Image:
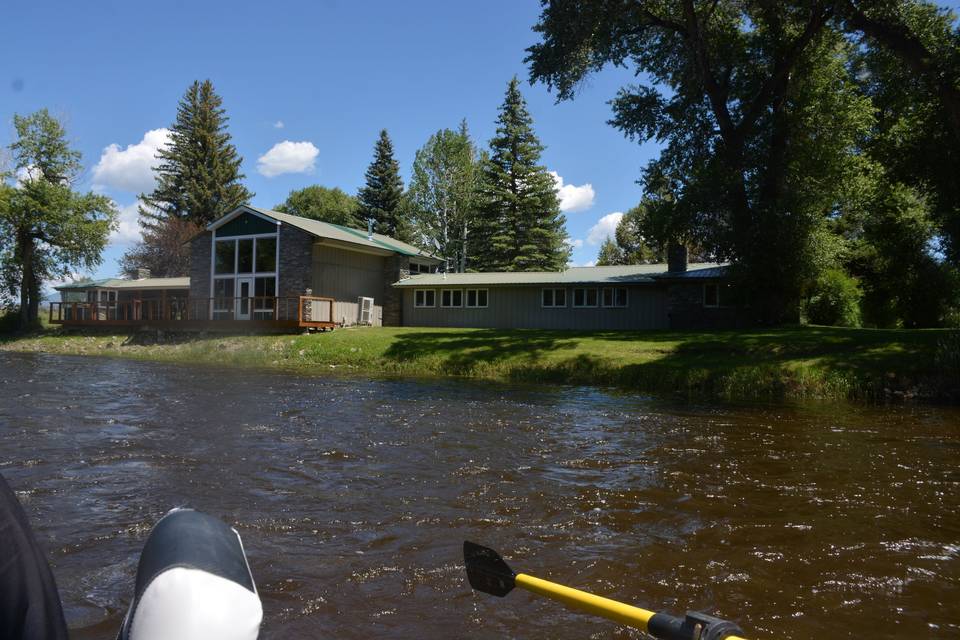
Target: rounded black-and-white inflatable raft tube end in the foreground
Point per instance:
(193, 583)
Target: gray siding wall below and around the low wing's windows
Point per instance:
(519, 308)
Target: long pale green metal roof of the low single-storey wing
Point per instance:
(621, 274)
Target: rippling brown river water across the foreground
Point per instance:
(353, 497)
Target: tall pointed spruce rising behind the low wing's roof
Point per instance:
(519, 226)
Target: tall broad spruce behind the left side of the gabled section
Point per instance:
(198, 178)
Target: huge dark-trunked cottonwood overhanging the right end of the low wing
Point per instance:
(755, 108)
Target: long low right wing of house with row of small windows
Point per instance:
(617, 298)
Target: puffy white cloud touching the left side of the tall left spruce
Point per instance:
(131, 169)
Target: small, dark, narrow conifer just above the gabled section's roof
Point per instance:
(381, 199)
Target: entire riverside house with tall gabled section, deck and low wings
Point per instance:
(261, 269)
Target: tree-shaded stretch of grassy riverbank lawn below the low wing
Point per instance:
(768, 364)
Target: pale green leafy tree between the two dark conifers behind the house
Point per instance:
(443, 195)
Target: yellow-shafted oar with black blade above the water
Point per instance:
(487, 572)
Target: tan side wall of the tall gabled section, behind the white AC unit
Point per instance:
(345, 276)
